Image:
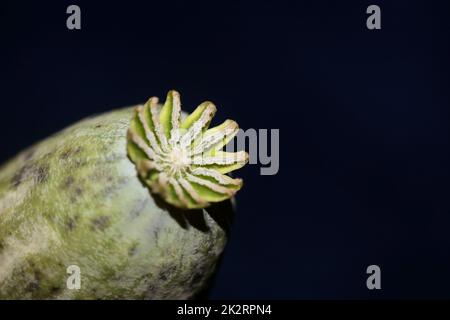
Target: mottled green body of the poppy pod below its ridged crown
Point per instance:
(76, 199)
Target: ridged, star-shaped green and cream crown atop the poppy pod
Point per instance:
(183, 161)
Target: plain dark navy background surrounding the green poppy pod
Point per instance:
(363, 118)
